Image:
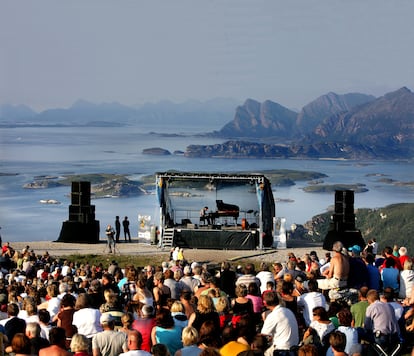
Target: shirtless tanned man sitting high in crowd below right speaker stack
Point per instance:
(337, 274)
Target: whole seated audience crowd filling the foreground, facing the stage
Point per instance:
(348, 302)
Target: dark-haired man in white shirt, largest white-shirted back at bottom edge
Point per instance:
(280, 325)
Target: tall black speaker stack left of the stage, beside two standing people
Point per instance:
(81, 226)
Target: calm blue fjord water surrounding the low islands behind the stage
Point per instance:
(31, 152)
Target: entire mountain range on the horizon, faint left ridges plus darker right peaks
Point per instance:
(352, 125)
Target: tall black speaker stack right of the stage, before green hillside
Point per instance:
(342, 227)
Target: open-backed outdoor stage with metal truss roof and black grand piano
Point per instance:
(240, 216)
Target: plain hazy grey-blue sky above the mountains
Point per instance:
(55, 52)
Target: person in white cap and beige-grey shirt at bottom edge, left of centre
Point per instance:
(108, 342)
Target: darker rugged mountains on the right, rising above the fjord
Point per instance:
(352, 126)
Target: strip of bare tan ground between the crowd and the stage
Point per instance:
(135, 248)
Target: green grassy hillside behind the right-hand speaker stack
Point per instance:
(390, 225)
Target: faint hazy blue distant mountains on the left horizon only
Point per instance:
(83, 113)
